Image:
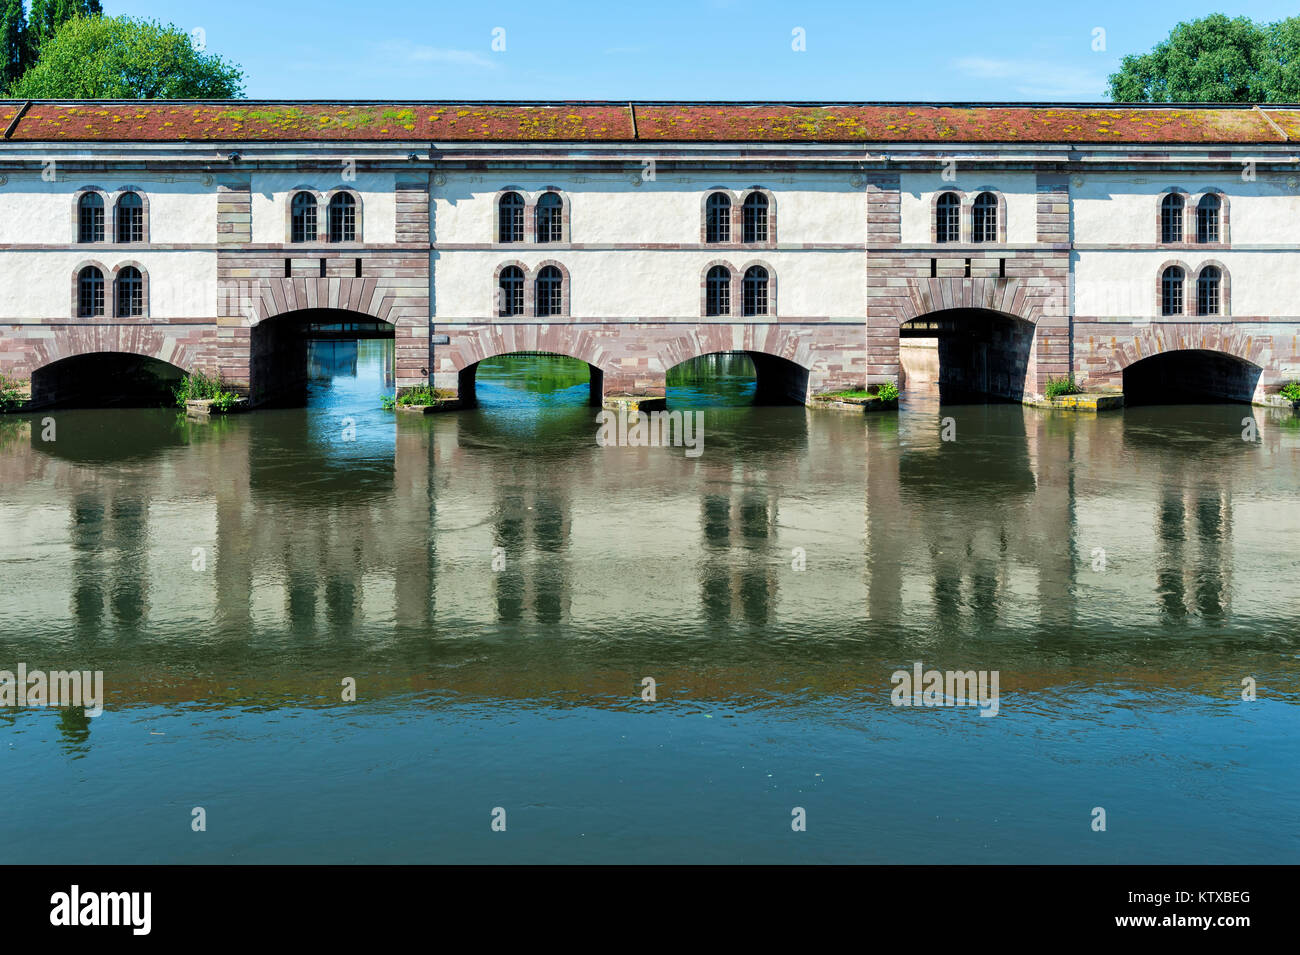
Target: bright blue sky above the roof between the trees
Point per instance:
(681, 50)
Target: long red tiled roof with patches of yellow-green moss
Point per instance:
(734, 123)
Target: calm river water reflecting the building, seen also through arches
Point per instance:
(500, 587)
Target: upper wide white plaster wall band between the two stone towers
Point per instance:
(606, 210)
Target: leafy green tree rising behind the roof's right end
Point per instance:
(1216, 60)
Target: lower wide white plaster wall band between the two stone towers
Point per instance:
(655, 285)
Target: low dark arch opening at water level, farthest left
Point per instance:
(106, 380)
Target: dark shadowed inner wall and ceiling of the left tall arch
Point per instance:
(279, 349)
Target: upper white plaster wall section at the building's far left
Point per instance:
(38, 212)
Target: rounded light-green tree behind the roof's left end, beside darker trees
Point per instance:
(120, 58)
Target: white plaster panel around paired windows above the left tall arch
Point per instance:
(272, 193)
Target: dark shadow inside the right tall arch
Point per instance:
(982, 353)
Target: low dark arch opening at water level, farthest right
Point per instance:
(1191, 376)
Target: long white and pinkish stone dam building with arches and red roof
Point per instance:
(1138, 249)
